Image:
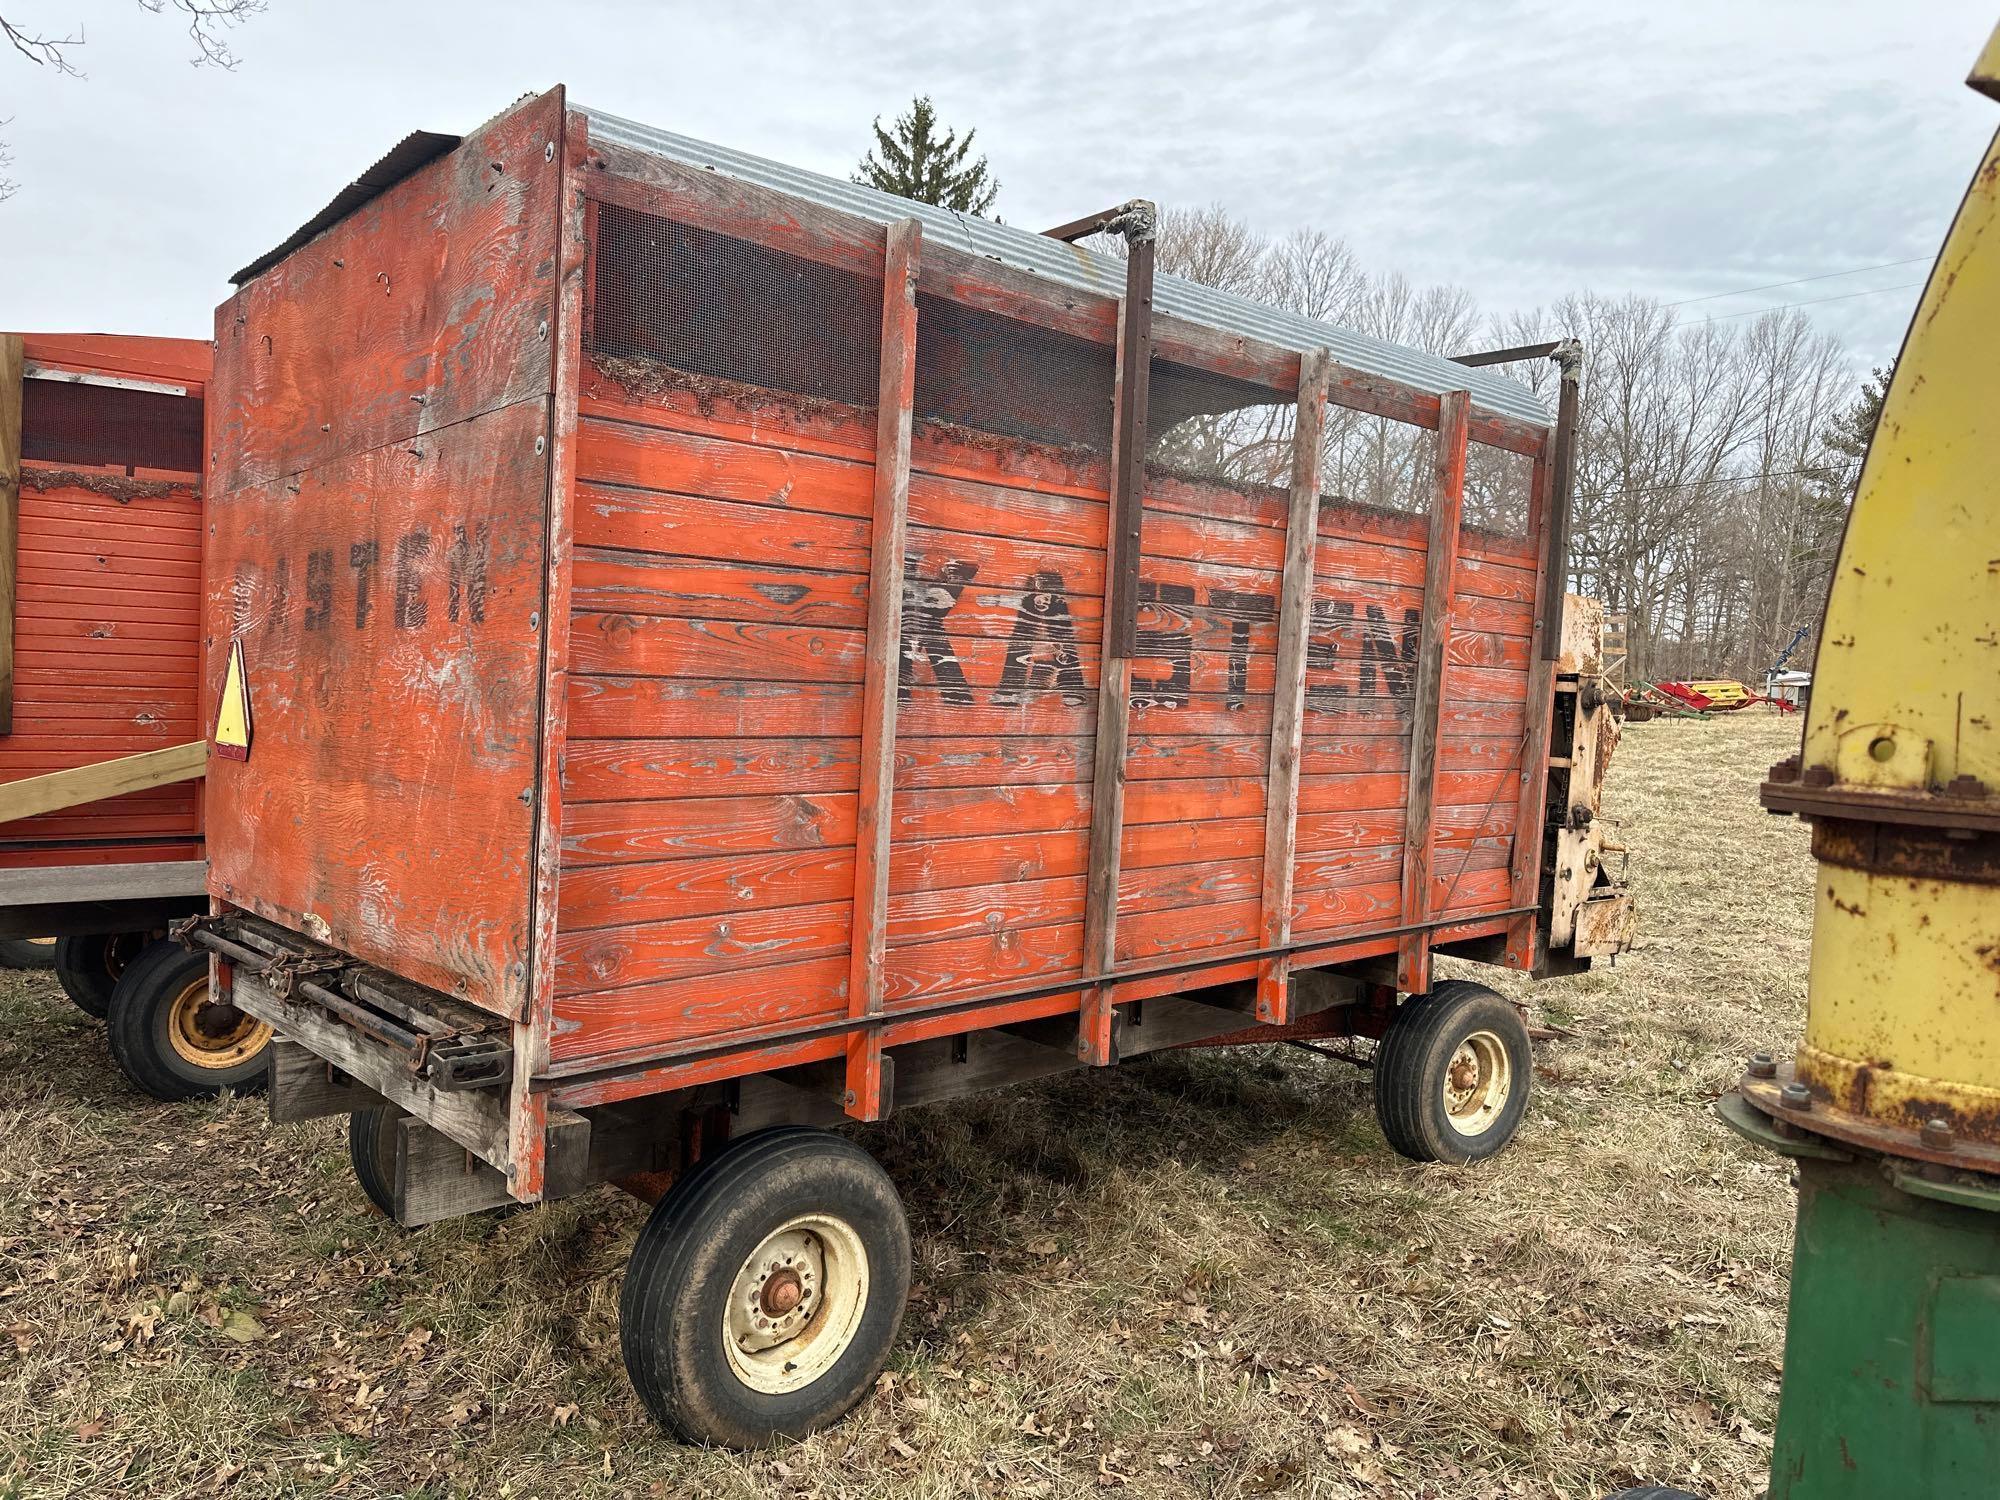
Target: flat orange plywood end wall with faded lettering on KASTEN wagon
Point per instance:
(381, 495)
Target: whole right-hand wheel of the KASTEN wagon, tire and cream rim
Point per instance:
(1453, 1075)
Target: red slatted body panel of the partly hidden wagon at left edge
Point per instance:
(105, 557)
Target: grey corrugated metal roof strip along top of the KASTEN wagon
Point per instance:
(1087, 269)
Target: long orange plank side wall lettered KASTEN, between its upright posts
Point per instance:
(719, 647)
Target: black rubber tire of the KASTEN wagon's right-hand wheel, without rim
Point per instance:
(1415, 1057)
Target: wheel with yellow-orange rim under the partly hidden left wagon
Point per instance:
(173, 1041)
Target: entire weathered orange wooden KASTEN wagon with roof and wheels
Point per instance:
(717, 651)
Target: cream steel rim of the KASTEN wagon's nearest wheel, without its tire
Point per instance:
(797, 1305)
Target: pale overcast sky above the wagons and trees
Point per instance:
(1523, 149)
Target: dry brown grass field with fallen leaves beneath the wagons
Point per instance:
(1205, 1277)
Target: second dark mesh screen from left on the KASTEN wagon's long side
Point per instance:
(1011, 379)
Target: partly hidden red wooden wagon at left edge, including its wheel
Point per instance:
(101, 735)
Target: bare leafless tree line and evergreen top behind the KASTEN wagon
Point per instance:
(1715, 459)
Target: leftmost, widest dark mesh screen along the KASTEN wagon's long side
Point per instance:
(733, 311)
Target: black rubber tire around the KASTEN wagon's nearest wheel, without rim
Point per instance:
(687, 1259)
